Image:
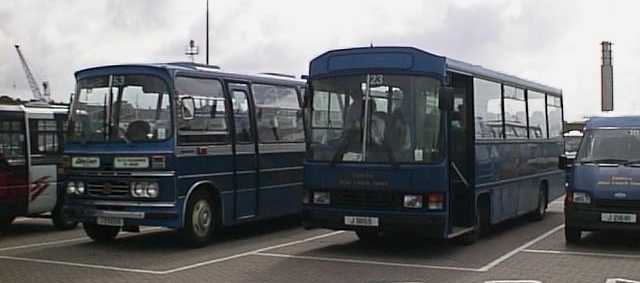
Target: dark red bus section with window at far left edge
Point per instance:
(14, 173)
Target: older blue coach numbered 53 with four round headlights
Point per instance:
(183, 146)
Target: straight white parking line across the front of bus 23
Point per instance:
(371, 262)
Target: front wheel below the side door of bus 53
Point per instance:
(200, 220)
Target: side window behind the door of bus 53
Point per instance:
(278, 114)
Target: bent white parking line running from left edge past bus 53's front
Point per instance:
(169, 271)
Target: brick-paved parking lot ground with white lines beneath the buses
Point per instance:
(281, 251)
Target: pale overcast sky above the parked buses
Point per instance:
(553, 42)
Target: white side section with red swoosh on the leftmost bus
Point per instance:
(44, 154)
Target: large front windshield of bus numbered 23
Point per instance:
(375, 118)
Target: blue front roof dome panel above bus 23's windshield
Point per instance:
(396, 59)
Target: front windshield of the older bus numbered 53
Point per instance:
(120, 108)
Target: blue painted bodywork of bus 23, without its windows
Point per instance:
(511, 172)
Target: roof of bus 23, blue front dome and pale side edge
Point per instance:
(409, 60)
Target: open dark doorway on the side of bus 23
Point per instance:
(461, 154)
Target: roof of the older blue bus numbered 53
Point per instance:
(191, 67)
